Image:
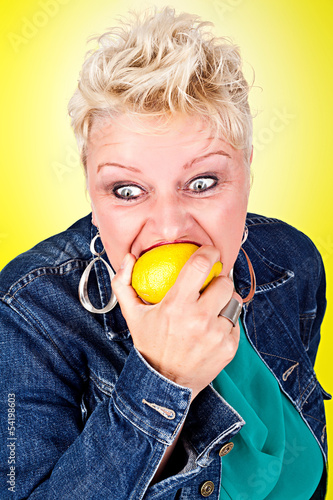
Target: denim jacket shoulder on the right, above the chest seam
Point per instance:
(284, 245)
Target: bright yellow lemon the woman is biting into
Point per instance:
(156, 271)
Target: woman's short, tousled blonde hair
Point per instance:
(159, 64)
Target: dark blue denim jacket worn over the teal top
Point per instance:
(88, 419)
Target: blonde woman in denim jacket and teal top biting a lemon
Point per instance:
(111, 397)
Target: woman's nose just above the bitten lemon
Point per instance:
(170, 220)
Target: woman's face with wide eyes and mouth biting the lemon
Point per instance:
(179, 185)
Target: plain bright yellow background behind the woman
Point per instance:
(289, 45)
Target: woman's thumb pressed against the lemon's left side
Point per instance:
(121, 285)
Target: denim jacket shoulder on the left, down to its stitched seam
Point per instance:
(56, 255)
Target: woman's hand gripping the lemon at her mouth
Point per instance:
(183, 337)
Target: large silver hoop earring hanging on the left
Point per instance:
(83, 285)
